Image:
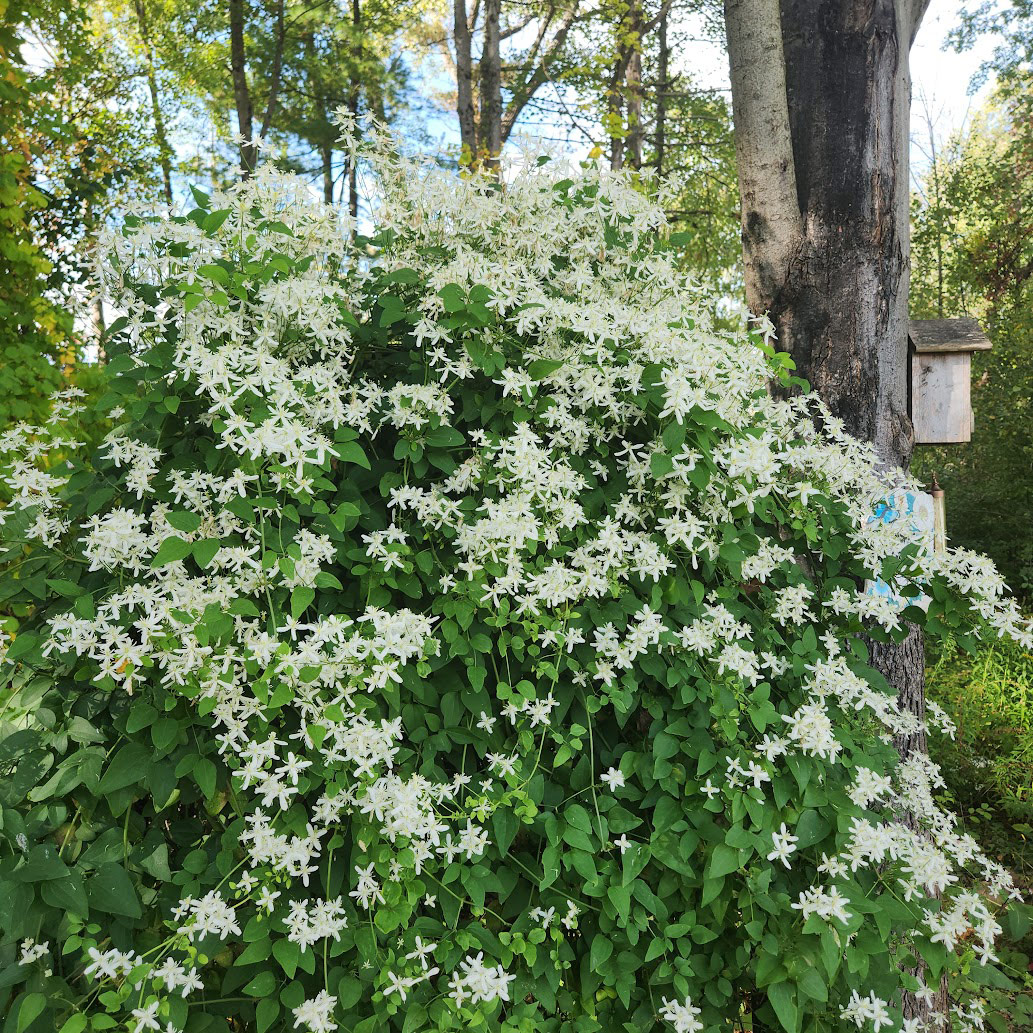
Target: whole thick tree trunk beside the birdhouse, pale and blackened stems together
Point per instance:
(822, 109)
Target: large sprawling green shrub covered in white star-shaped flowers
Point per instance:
(453, 634)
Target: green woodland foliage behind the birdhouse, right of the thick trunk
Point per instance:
(973, 255)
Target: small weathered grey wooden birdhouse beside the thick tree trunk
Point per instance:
(941, 387)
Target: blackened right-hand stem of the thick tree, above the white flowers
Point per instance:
(842, 310)
